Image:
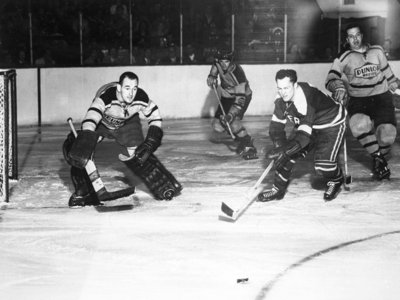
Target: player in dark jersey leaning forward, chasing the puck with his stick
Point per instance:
(319, 123)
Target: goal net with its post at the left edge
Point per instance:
(8, 131)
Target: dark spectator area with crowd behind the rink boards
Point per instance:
(140, 32)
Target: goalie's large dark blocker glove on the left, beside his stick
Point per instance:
(82, 149)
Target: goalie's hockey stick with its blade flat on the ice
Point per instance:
(97, 182)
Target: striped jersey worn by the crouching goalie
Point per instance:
(109, 109)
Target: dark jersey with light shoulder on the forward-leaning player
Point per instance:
(310, 109)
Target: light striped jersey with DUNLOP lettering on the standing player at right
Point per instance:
(368, 73)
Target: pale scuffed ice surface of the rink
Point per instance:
(298, 248)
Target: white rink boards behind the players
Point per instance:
(179, 91)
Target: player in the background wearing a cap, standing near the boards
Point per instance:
(235, 99)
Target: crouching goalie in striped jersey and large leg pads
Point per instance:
(114, 114)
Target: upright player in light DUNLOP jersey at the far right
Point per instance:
(362, 72)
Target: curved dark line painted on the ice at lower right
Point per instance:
(268, 287)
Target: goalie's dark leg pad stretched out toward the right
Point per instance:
(162, 184)
